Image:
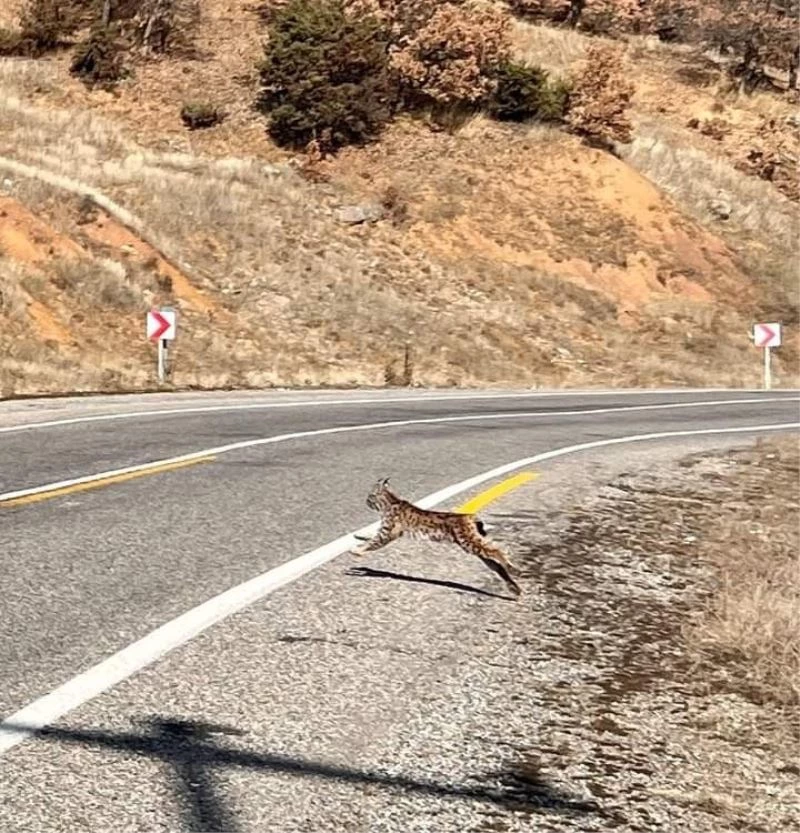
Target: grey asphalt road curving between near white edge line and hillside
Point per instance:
(87, 573)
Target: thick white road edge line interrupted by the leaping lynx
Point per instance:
(118, 667)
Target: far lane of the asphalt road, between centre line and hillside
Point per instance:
(40, 455)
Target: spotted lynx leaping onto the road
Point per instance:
(400, 517)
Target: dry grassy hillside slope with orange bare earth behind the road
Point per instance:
(502, 255)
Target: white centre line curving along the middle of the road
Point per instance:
(372, 426)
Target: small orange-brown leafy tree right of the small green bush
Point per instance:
(601, 96)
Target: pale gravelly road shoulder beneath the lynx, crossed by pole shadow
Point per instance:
(403, 693)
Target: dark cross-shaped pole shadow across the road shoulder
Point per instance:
(195, 754)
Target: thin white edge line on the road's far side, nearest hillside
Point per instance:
(375, 400)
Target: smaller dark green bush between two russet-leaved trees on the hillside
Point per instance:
(523, 92)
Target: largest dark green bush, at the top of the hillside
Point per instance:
(325, 76)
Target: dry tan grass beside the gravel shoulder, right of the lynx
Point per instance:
(752, 621)
